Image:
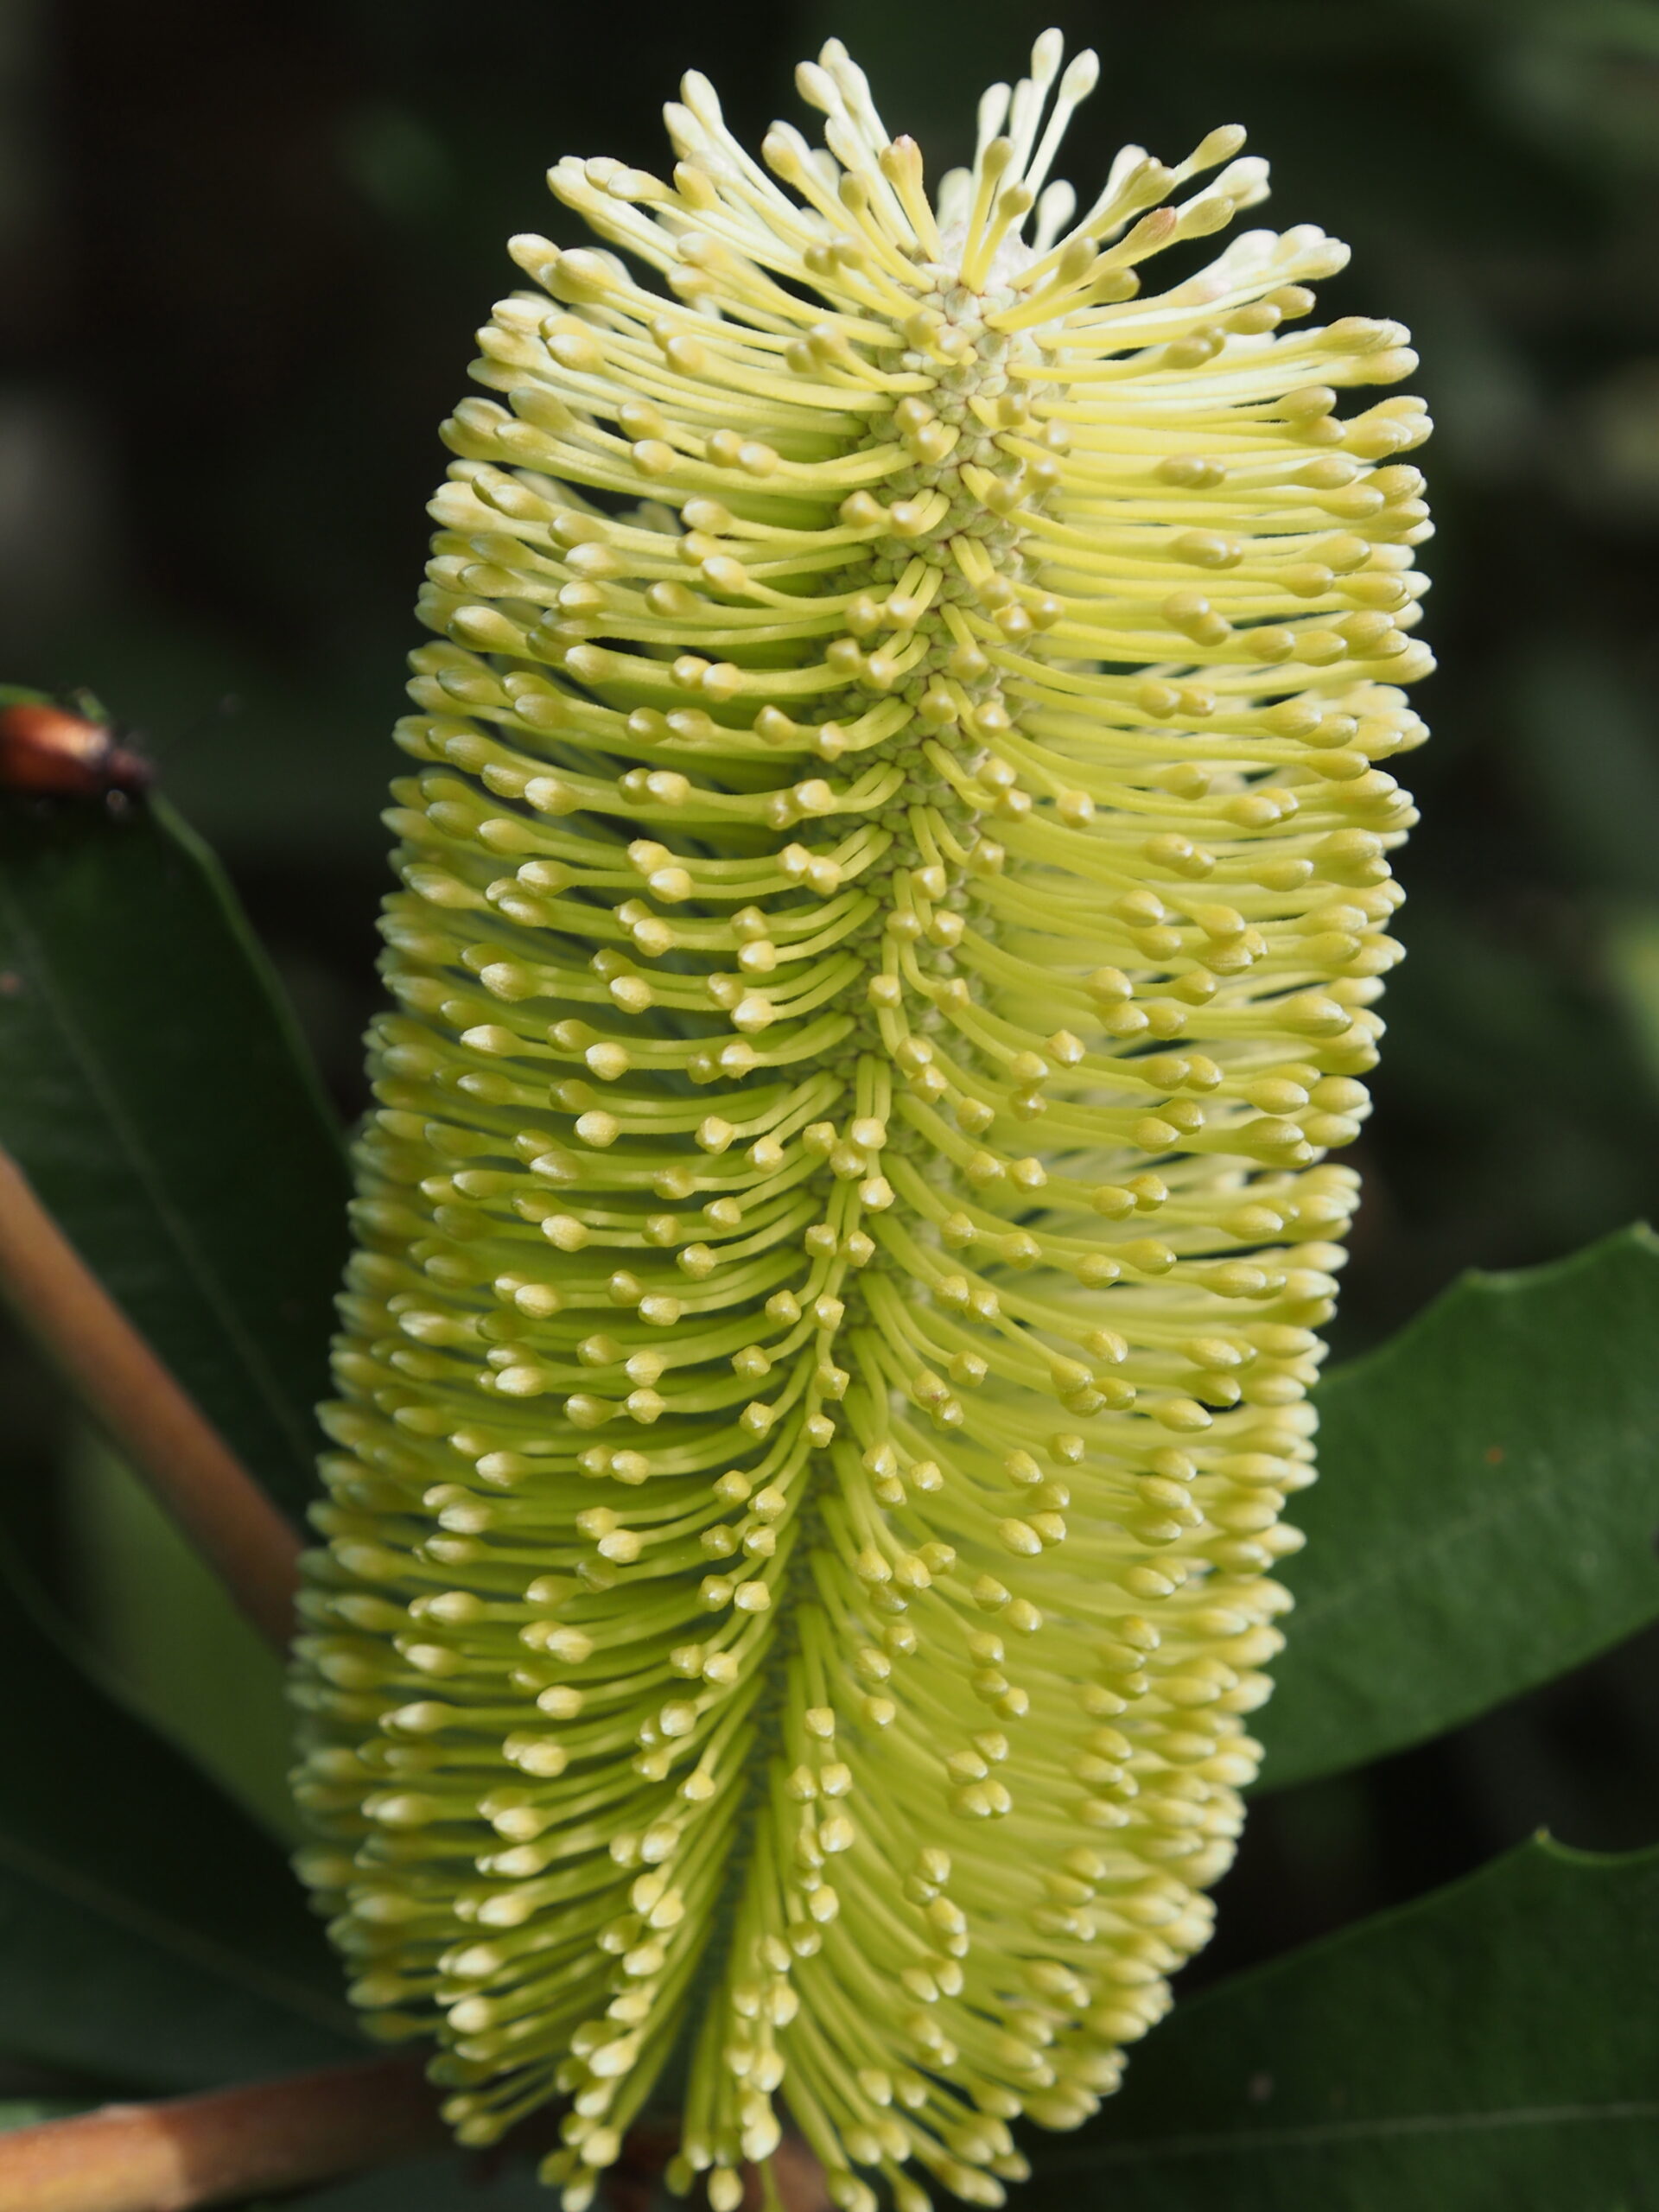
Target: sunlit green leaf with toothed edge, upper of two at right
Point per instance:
(1485, 1512)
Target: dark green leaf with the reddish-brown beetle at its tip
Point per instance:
(163, 1105)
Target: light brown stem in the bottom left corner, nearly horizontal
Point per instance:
(233, 2142)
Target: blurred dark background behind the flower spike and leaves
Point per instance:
(242, 251)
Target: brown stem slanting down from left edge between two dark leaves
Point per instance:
(147, 1415)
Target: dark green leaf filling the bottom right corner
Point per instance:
(1490, 2047)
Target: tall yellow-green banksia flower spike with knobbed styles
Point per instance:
(893, 901)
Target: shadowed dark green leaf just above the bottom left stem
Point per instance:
(152, 1934)
